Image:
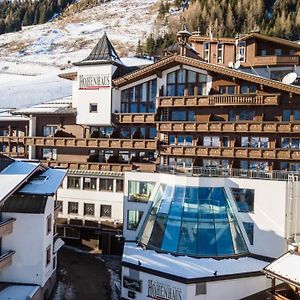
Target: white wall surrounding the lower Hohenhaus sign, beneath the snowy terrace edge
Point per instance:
(233, 289)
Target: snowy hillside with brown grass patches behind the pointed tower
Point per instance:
(37, 53)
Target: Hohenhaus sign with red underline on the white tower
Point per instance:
(94, 82)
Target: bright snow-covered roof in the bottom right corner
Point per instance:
(286, 268)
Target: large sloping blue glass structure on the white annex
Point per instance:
(193, 221)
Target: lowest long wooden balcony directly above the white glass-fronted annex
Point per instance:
(237, 152)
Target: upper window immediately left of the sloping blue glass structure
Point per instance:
(140, 191)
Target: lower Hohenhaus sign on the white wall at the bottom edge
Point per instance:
(163, 291)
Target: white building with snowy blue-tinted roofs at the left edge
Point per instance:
(29, 244)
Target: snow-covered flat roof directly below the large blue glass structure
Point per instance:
(189, 267)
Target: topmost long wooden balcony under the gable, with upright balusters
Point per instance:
(218, 100)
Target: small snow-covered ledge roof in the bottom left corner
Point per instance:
(19, 292)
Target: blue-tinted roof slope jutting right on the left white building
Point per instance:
(45, 184)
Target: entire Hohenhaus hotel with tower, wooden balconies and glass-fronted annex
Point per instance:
(203, 155)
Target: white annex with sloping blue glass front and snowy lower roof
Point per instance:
(206, 236)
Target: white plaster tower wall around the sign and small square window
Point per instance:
(101, 96)
